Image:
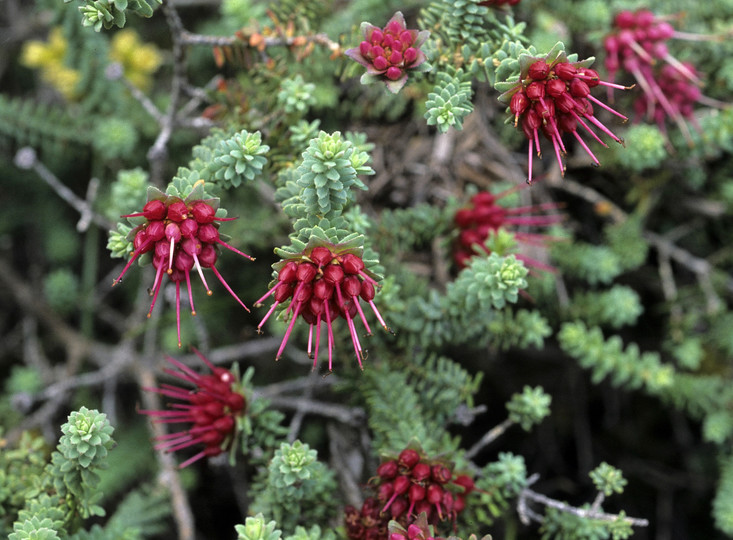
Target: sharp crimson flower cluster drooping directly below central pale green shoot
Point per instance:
(322, 284)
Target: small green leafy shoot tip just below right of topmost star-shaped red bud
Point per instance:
(450, 101)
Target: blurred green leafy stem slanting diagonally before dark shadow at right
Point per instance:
(606, 358)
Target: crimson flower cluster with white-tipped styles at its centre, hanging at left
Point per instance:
(181, 236)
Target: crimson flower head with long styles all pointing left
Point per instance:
(211, 409)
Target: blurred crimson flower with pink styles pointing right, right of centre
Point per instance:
(485, 216)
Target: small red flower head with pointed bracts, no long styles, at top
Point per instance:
(389, 53)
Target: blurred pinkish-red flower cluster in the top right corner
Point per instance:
(636, 43)
